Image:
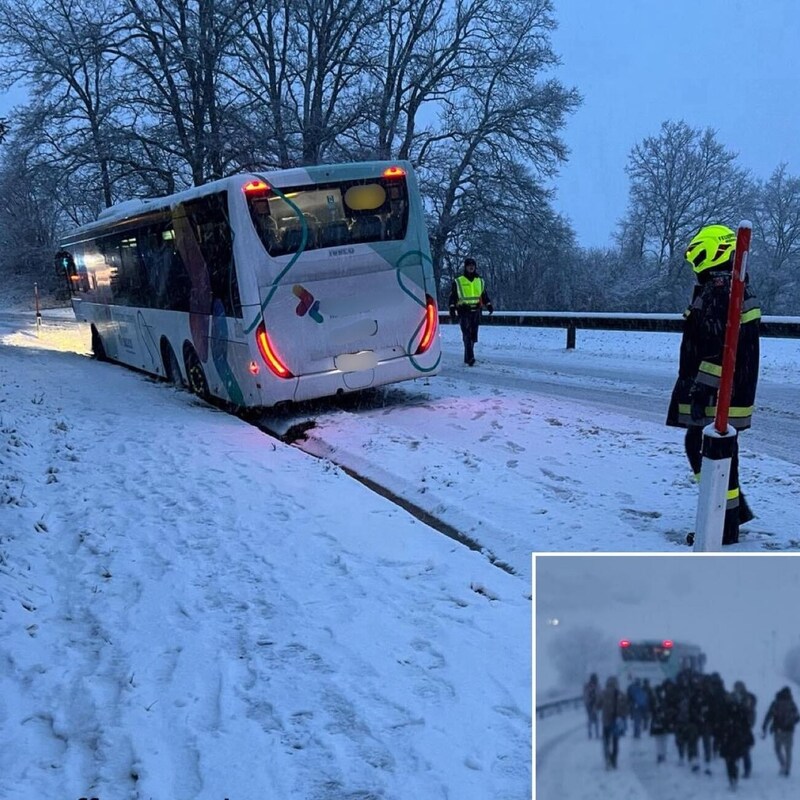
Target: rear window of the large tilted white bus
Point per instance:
(335, 215)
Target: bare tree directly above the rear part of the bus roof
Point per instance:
(304, 73)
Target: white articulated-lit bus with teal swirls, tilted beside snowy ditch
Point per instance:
(259, 289)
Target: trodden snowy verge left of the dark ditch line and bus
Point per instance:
(189, 609)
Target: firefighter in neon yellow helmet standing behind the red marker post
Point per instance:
(693, 403)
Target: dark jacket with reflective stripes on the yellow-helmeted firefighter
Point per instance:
(701, 353)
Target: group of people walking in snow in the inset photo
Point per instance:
(705, 720)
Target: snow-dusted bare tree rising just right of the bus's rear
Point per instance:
(499, 132)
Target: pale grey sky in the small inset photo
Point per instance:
(735, 607)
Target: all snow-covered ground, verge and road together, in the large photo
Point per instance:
(190, 608)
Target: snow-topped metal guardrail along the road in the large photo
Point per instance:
(779, 327)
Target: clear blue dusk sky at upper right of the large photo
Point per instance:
(730, 65)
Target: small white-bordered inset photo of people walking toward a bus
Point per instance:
(665, 676)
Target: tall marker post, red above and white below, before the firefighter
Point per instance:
(719, 438)
